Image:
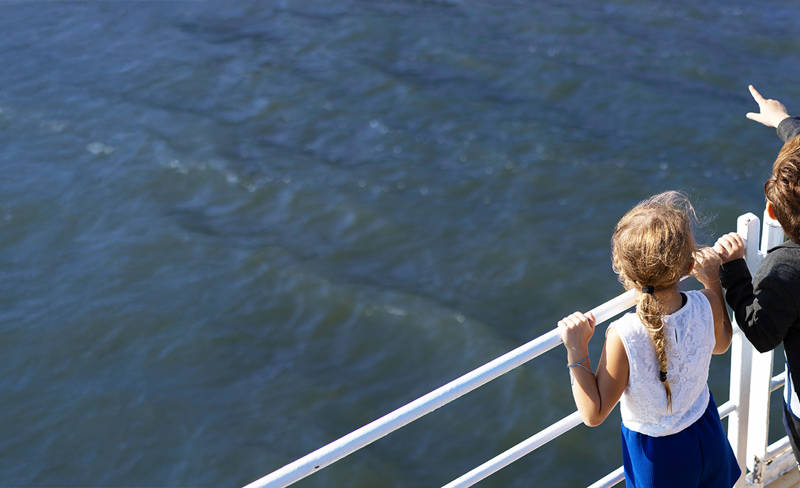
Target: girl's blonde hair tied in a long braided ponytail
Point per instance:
(652, 248)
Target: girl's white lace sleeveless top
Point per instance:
(690, 338)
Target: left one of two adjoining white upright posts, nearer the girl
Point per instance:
(748, 226)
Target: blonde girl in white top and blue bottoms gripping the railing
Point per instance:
(657, 359)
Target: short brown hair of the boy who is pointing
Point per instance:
(782, 188)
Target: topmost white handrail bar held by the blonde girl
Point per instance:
(326, 455)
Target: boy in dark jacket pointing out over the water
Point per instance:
(768, 308)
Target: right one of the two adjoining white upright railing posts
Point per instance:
(761, 375)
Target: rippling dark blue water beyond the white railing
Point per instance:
(230, 234)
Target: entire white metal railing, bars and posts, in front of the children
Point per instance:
(751, 382)
